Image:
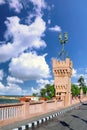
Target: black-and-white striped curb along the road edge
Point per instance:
(36, 123)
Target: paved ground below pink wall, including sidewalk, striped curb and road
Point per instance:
(70, 118)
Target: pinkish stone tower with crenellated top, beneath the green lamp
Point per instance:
(62, 71)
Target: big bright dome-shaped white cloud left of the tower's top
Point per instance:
(29, 66)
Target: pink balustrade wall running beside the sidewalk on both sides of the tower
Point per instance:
(24, 110)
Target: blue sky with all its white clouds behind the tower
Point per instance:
(29, 41)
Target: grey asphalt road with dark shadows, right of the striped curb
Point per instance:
(73, 120)
